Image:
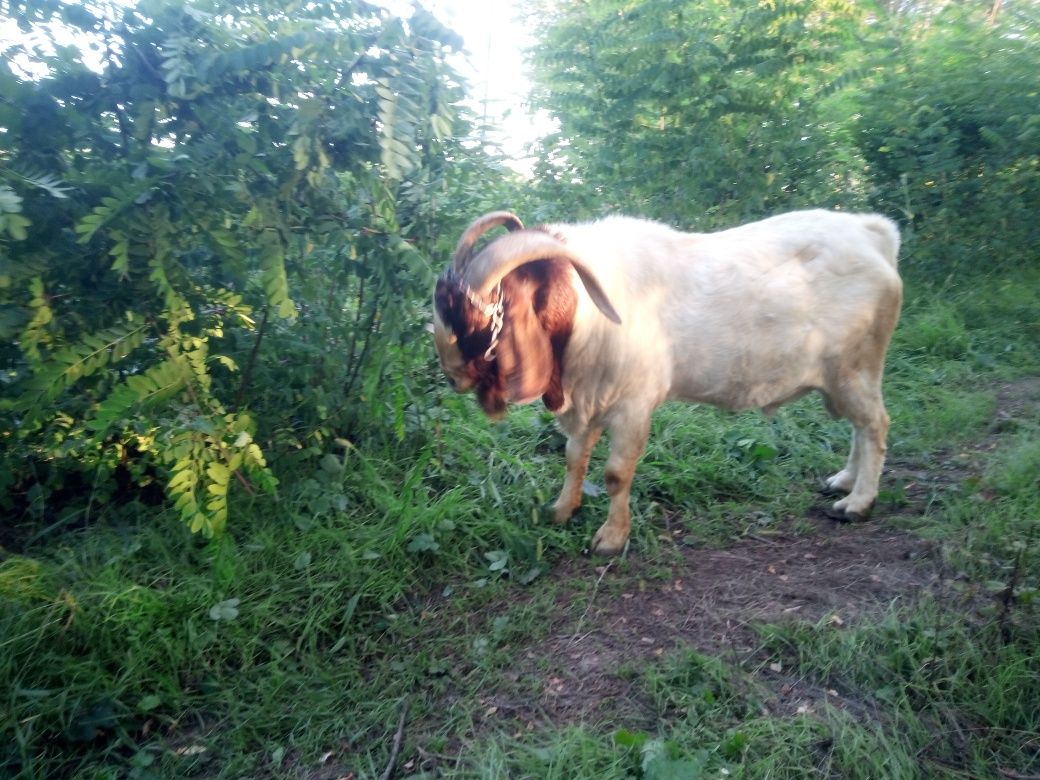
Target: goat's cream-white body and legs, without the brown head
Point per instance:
(744, 319)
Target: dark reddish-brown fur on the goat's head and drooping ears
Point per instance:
(539, 303)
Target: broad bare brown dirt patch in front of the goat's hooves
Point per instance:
(842, 575)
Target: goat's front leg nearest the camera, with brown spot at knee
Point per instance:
(629, 439)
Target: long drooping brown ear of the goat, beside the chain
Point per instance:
(525, 352)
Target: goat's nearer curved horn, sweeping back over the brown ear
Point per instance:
(505, 255)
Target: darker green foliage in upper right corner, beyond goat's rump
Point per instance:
(952, 135)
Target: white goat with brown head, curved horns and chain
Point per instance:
(609, 320)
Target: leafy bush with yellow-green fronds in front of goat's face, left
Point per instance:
(233, 178)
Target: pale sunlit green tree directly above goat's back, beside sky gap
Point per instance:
(699, 114)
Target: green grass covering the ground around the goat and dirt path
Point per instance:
(424, 574)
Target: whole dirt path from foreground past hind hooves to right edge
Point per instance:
(711, 600)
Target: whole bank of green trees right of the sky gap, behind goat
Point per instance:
(710, 114)
